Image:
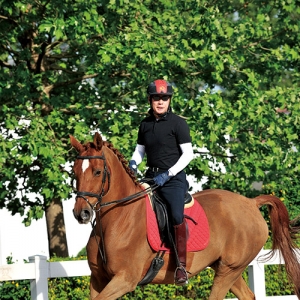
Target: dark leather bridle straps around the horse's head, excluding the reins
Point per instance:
(99, 196)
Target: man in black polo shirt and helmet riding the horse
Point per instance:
(165, 139)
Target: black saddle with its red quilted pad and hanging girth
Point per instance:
(160, 231)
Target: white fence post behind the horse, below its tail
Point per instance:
(256, 275)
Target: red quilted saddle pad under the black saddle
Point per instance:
(198, 233)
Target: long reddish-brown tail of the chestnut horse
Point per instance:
(284, 236)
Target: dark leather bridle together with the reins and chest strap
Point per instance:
(83, 194)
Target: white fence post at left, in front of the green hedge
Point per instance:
(39, 285)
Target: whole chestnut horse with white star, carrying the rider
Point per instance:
(118, 251)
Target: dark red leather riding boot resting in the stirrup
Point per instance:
(181, 276)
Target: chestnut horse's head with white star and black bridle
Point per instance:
(92, 177)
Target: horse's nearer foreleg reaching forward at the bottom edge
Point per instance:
(118, 286)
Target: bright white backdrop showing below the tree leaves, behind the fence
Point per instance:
(21, 242)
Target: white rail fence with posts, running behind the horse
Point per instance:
(38, 270)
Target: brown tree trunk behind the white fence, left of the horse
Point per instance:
(56, 230)
